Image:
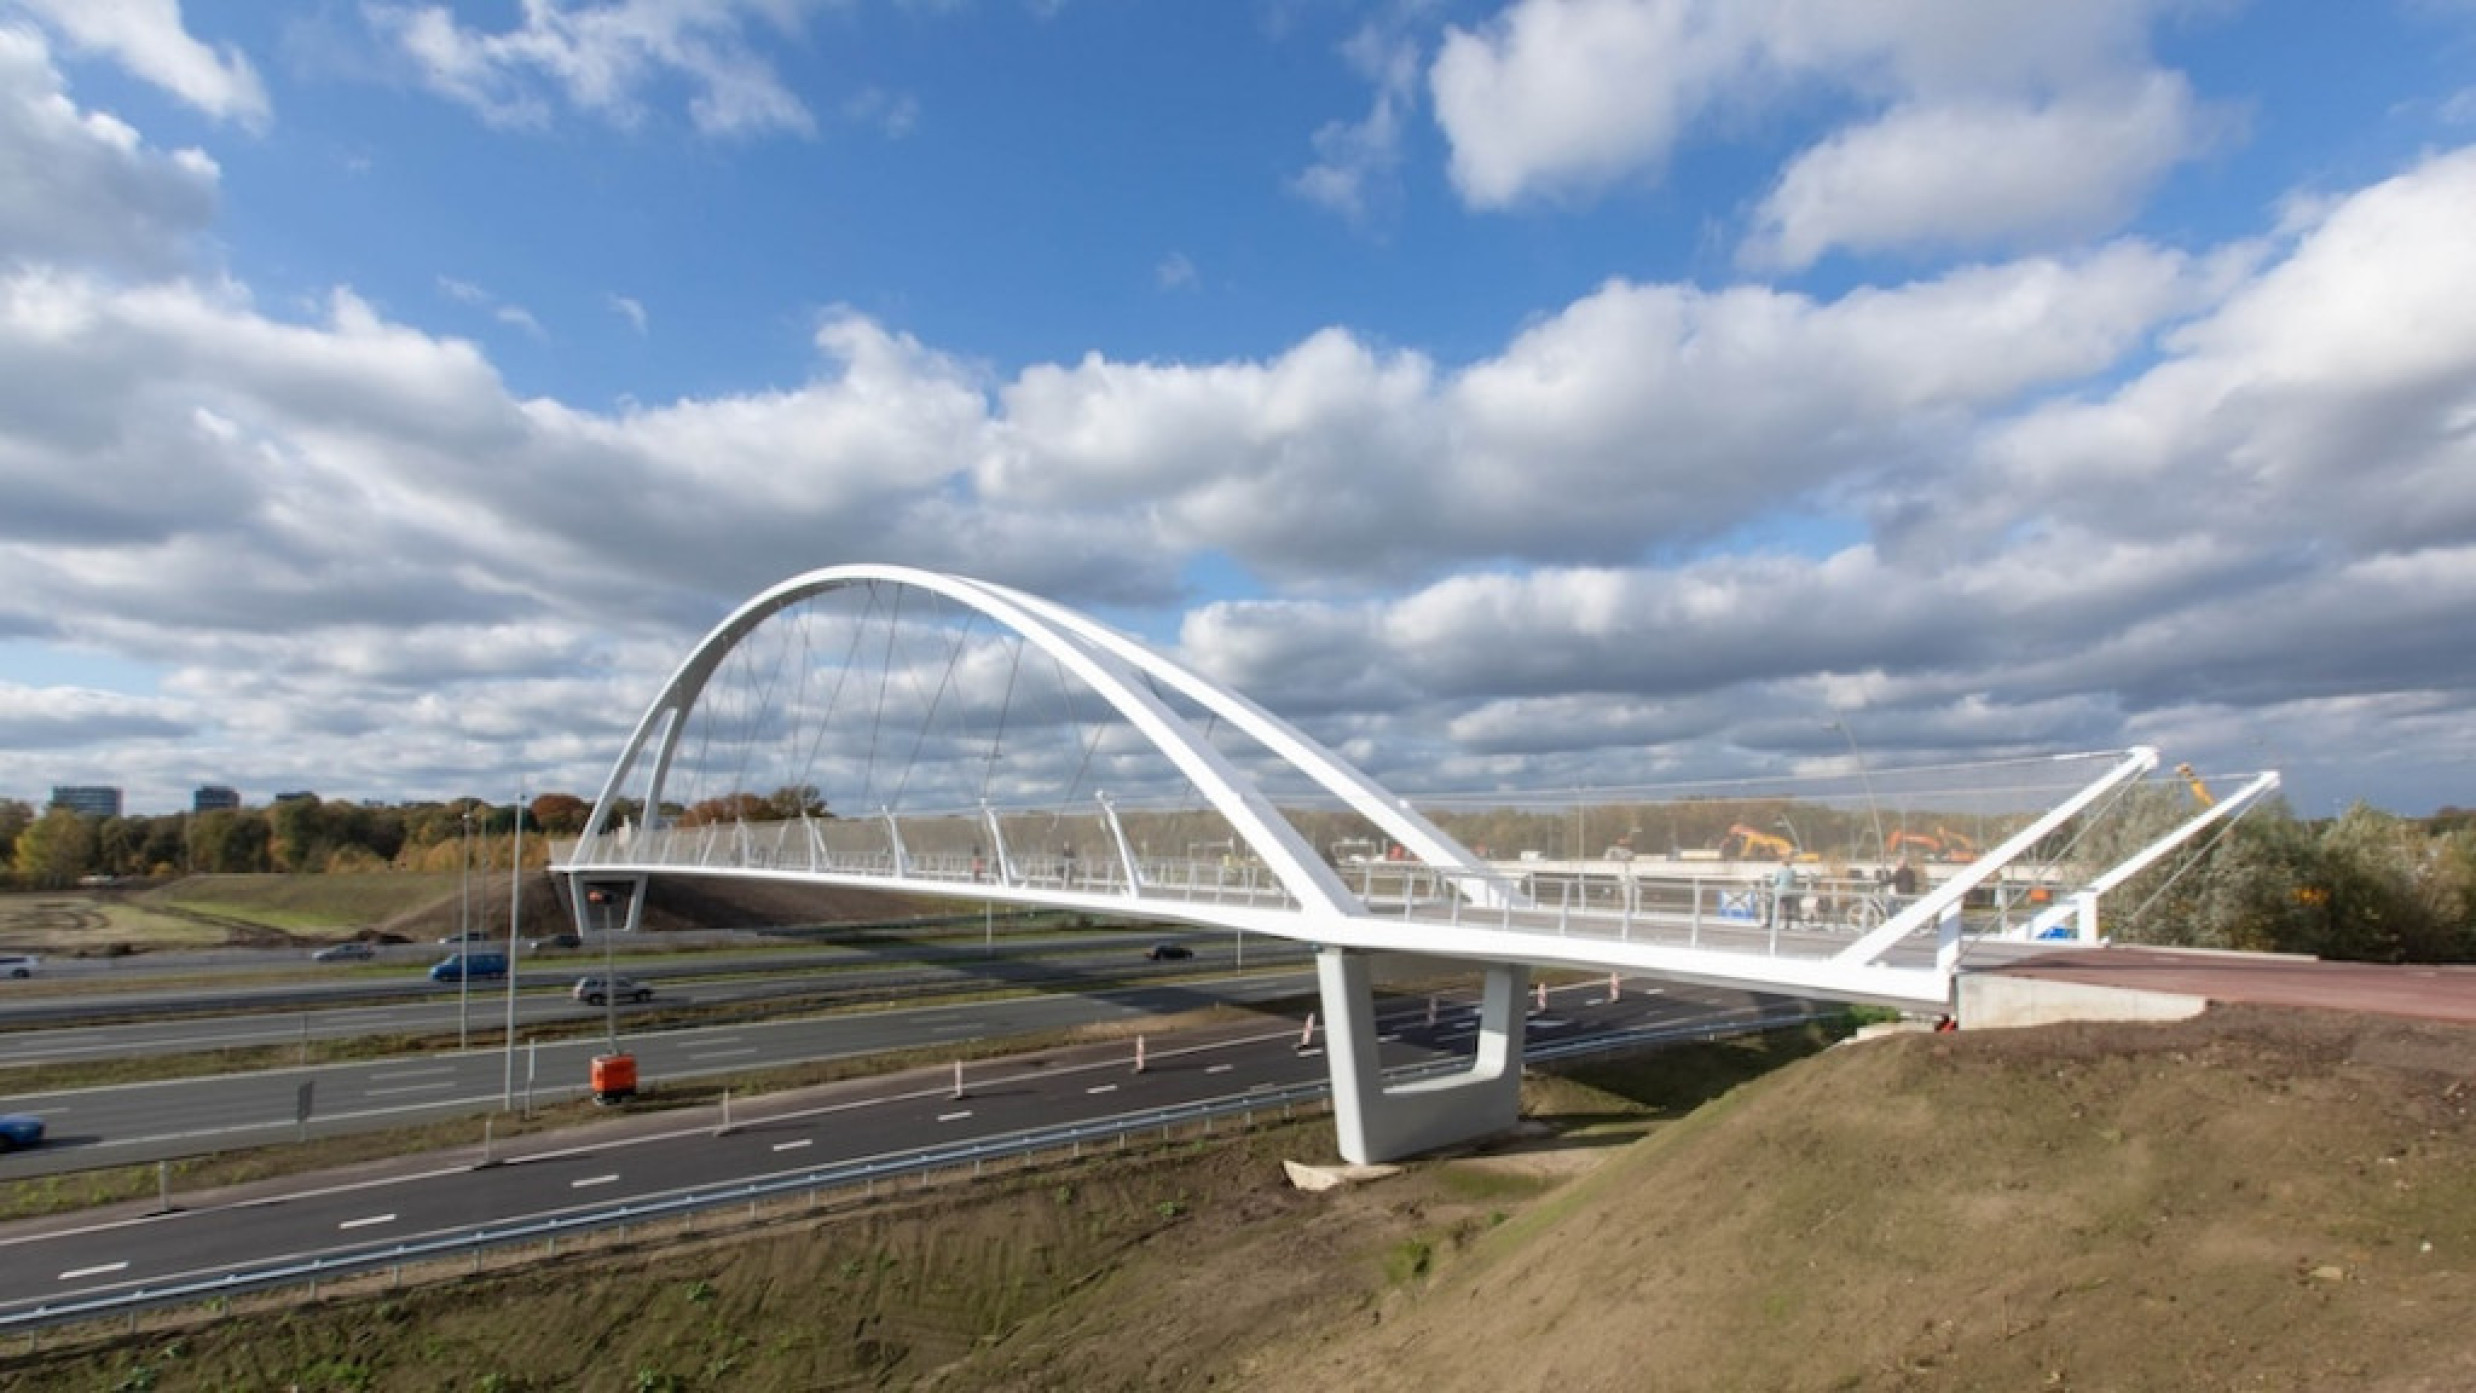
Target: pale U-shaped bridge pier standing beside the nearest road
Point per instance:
(1378, 1122)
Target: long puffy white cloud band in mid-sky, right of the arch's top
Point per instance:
(1640, 417)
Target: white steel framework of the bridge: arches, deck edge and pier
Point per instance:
(1472, 912)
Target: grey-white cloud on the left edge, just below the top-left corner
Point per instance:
(85, 189)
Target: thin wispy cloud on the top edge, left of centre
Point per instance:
(603, 58)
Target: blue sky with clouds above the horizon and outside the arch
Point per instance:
(1596, 390)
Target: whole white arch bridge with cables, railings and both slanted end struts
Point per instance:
(940, 736)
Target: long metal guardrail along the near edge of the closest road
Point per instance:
(853, 1174)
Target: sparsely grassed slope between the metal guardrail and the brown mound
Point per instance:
(895, 1290)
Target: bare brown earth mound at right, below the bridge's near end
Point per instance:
(2254, 1201)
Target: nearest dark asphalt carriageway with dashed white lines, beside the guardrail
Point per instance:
(83, 1256)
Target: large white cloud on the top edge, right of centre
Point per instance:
(1985, 122)
